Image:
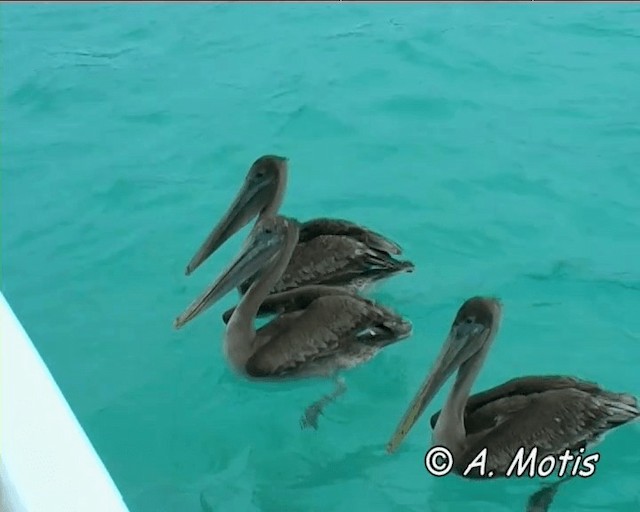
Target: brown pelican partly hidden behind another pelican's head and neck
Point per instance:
(329, 251)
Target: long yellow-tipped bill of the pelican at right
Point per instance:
(455, 351)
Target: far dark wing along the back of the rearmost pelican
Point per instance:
(319, 227)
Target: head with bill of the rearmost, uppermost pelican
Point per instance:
(262, 188)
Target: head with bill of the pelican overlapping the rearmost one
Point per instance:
(265, 242)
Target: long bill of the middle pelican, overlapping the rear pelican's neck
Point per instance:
(257, 252)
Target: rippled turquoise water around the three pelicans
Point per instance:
(499, 145)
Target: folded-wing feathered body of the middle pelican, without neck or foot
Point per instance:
(320, 334)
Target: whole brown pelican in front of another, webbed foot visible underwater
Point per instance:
(318, 330)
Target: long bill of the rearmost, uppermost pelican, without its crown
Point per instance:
(252, 197)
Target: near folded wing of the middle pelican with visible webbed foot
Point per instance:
(332, 331)
